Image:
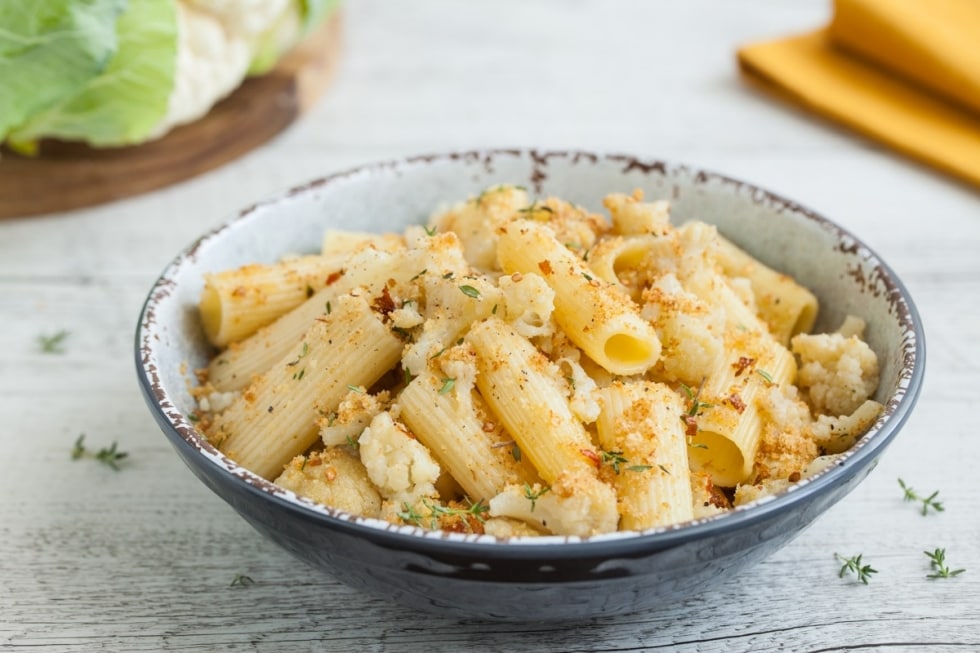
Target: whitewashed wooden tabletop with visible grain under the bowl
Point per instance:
(143, 558)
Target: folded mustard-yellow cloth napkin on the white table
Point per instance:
(904, 72)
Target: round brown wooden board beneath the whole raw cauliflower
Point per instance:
(71, 175)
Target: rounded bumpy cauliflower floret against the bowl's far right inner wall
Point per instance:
(837, 373)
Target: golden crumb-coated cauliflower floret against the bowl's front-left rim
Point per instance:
(335, 478)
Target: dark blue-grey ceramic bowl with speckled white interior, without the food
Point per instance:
(547, 578)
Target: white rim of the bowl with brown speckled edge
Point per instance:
(182, 432)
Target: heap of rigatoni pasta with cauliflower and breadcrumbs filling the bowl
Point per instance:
(522, 366)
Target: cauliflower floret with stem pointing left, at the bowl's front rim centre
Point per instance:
(575, 504)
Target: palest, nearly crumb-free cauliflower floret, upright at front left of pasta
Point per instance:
(398, 464)
